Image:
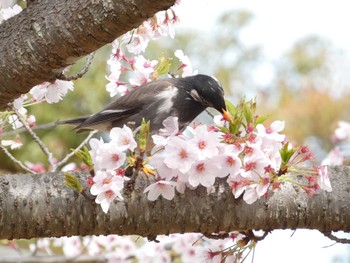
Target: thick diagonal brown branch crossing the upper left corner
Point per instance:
(52, 34)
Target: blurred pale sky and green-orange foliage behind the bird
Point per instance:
(293, 57)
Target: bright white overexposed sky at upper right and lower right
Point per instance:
(276, 26)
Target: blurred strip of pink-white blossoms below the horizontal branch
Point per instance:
(189, 247)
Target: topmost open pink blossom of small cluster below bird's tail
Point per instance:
(123, 138)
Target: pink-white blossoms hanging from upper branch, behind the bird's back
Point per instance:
(127, 55)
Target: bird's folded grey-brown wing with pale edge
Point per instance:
(124, 107)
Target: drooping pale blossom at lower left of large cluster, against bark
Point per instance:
(163, 188)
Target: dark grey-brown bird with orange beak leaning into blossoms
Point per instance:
(184, 98)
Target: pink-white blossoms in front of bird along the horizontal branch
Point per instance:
(254, 164)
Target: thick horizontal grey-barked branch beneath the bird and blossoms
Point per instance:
(42, 206)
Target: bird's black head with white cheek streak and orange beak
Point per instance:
(208, 92)
